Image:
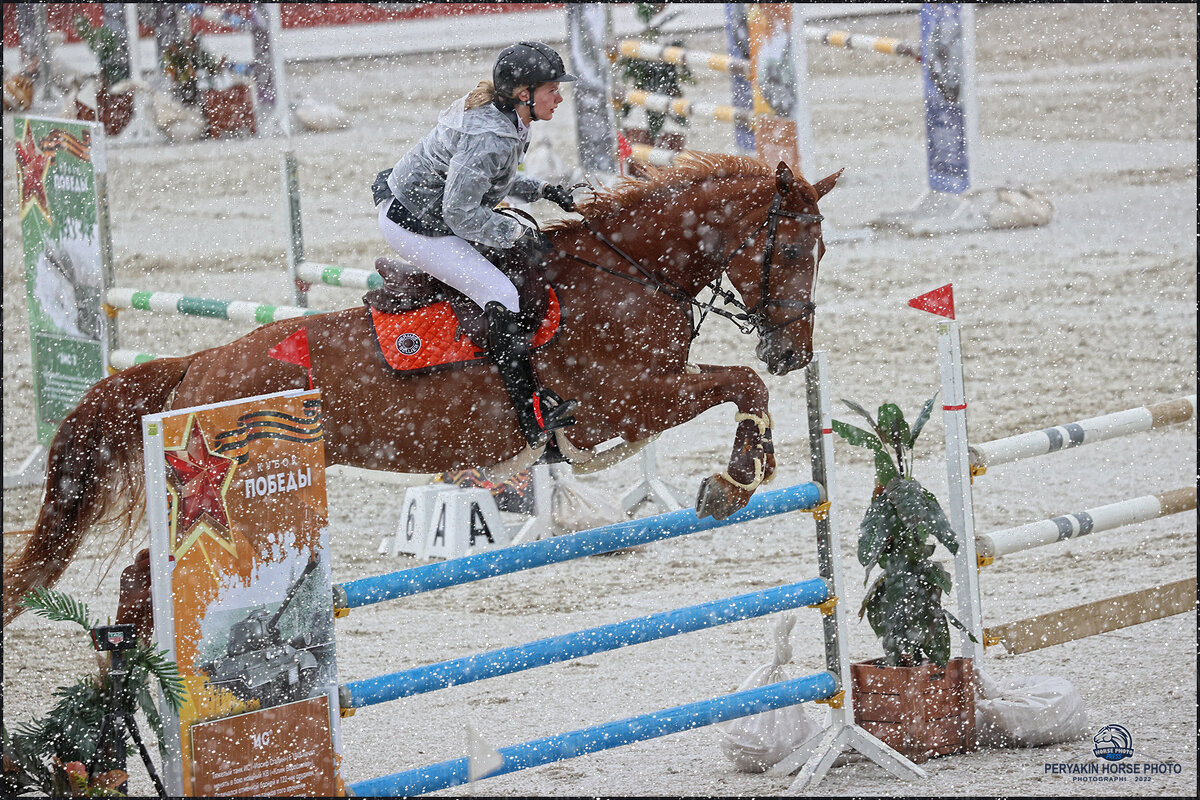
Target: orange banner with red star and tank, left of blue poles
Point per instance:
(243, 597)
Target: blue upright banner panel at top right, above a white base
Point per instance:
(945, 32)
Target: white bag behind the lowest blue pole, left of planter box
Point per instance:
(758, 743)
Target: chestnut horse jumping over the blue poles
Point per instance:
(628, 276)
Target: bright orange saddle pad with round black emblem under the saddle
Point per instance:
(424, 340)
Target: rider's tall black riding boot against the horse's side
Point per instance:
(508, 345)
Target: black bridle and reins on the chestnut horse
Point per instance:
(749, 320)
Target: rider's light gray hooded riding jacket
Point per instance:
(457, 175)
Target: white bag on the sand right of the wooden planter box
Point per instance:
(1029, 712)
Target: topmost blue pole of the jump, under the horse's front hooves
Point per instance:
(565, 549)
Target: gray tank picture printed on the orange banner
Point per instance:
(260, 664)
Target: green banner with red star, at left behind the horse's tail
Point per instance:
(61, 167)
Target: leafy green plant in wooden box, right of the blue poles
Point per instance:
(916, 699)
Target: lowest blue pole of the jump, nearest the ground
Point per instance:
(608, 736)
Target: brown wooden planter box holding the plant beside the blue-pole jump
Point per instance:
(919, 712)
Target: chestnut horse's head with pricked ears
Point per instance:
(776, 267)
